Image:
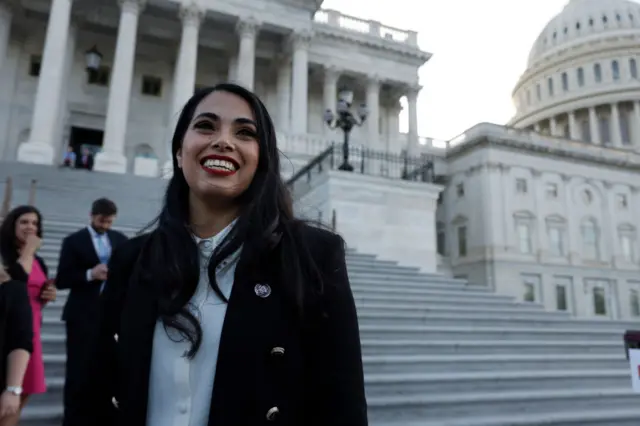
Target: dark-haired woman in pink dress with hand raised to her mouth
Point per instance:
(20, 238)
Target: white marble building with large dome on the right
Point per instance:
(546, 208)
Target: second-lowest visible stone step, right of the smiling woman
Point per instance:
(445, 406)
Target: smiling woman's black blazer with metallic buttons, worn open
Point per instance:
(317, 381)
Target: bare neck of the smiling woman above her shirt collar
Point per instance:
(207, 220)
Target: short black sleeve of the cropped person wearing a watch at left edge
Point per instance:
(19, 318)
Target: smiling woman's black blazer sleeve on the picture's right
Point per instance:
(335, 353)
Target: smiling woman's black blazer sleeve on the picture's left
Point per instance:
(100, 386)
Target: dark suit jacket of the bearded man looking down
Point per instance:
(78, 255)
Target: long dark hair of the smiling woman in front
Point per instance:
(169, 258)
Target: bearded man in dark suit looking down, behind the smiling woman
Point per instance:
(82, 269)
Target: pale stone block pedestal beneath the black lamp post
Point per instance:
(393, 219)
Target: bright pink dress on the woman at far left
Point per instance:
(34, 376)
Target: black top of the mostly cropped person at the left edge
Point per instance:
(16, 322)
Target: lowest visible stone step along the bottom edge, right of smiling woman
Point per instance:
(602, 416)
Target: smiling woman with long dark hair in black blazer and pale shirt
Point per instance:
(231, 311)
